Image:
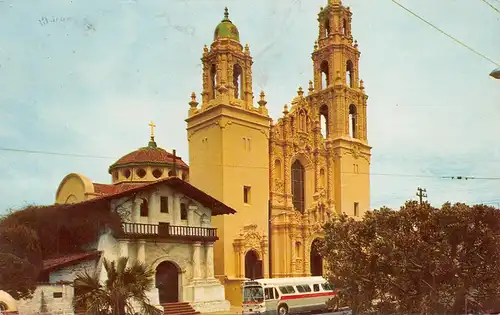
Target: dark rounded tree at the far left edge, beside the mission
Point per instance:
(20, 260)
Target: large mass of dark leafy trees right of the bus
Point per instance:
(416, 260)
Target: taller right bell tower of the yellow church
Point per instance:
(338, 97)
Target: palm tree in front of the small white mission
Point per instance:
(123, 286)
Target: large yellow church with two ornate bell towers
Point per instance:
(285, 178)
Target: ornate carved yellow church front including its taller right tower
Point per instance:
(318, 145)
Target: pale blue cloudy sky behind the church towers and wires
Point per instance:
(88, 79)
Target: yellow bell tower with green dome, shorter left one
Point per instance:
(228, 155)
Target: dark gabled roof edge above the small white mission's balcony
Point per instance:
(218, 208)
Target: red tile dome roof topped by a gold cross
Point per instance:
(149, 155)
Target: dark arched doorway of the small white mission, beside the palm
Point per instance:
(167, 282)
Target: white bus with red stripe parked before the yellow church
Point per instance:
(284, 296)
